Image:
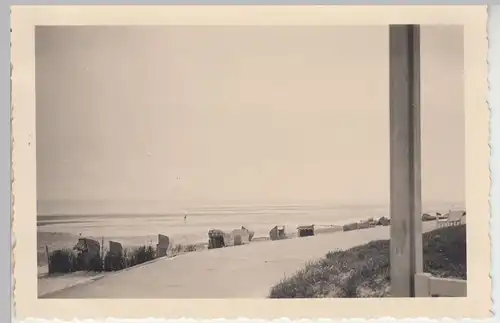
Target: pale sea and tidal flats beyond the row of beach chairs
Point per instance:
(59, 231)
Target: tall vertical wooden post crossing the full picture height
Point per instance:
(405, 190)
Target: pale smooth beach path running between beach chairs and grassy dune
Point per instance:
(246, 271)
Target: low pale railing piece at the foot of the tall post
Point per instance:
(428, 286)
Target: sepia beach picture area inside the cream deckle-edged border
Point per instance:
(250, 161)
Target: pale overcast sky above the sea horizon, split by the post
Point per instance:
(168, 117)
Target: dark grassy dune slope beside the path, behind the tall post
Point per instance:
(364, 271)
